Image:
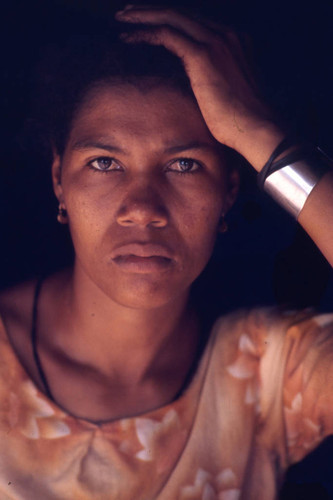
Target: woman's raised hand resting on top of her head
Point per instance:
(220, 77)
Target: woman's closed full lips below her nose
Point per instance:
(142, 257)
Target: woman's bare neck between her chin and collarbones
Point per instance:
(124, 343)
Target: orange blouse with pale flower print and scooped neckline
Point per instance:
(262, 398)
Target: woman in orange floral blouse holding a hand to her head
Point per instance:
(112, 385)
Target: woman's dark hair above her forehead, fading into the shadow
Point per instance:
(68, 72)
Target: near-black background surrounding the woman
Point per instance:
(265, 257)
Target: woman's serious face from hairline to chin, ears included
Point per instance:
(144, 185)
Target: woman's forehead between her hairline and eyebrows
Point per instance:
(154, 117)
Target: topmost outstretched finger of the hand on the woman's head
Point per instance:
(169, 17)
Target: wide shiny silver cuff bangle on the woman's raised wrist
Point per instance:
(291, 185)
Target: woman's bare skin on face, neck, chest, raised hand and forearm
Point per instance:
(141, 313)
